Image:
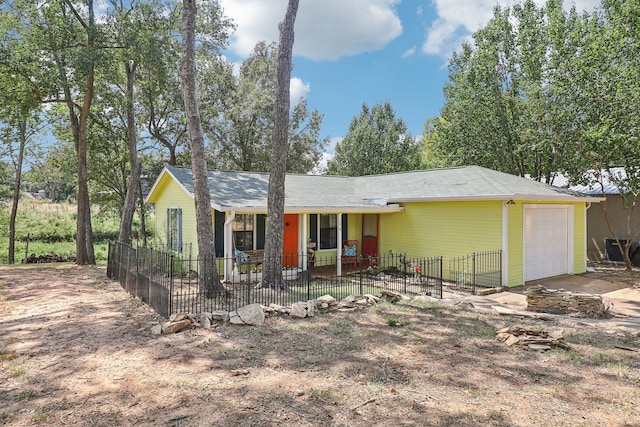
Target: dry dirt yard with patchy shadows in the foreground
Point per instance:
(76, 350)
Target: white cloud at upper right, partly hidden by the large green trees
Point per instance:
(457, 19)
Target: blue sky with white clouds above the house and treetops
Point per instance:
(348, 52)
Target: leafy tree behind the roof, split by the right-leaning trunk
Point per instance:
(242, 140)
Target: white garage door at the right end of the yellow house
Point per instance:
(548, 241)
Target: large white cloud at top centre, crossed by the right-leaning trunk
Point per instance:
(324, 29)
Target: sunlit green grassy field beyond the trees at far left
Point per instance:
(43, 227)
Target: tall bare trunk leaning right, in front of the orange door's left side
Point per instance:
(272, 268)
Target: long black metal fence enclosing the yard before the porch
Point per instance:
(169, 283)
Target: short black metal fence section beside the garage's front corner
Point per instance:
(480, 269)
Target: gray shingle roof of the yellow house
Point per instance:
(248, 190)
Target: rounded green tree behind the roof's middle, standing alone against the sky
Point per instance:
(377, 142)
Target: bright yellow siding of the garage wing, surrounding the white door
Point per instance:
(454, 229)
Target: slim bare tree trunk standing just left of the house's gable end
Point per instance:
(129, 206)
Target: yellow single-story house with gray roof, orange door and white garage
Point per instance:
(540, 229)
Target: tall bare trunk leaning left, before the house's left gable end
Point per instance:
(209, 281)
